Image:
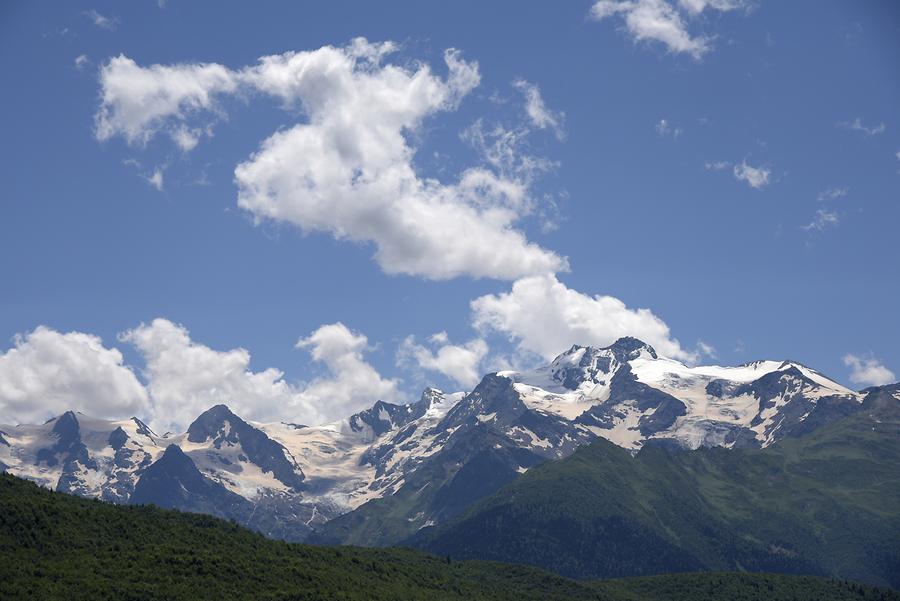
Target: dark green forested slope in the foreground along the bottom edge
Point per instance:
(54, 546)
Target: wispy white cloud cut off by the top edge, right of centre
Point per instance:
(663, 21)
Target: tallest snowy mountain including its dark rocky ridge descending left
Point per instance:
(625, 393)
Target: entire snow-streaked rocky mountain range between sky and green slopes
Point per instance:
(429, 459)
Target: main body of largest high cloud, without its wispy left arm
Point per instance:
(349, 170)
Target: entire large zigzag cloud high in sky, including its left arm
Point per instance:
(347, 169)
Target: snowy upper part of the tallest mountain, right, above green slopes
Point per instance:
(631, 396)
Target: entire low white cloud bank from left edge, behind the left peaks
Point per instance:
(46, 373)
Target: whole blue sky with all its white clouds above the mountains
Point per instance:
(732, 167)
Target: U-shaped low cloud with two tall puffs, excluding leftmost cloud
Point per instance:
(185, 378)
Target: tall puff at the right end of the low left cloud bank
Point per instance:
(353, 384)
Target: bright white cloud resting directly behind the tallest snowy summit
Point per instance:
(543, 316)
